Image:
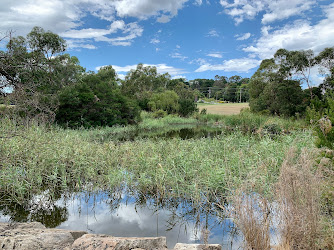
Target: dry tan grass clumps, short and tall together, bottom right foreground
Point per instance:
(296, 211)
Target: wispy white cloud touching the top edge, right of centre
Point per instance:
(273, 10)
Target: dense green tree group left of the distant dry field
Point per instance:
(46, 83)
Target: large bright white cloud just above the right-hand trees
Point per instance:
(300, 35)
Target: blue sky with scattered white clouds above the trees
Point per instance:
(186, 38)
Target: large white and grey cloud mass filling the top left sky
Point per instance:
(66, 17)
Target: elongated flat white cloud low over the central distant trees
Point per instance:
(238, 65)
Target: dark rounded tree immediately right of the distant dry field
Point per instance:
(271, 91)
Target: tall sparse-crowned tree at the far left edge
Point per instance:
(36, 69)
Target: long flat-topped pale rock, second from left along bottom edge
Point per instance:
(92, 241)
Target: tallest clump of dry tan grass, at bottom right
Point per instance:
(299, 199)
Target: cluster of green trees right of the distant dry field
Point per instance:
(276, 87)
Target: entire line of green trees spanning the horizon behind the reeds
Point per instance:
(48, 83)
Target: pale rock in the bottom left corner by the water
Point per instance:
(35, 236)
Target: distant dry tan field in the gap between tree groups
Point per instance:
(223, 108)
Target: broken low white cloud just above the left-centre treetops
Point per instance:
(161, 68)
